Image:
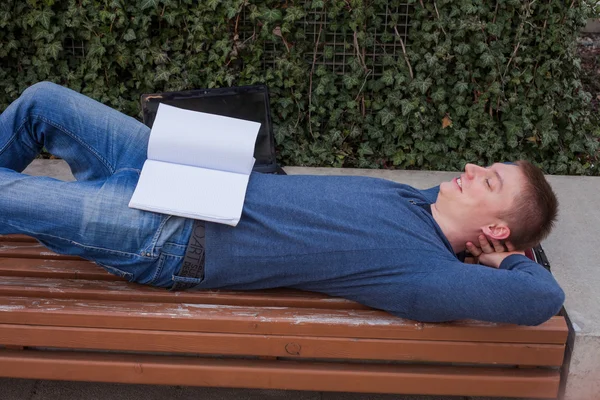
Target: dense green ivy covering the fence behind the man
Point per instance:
(480, 81)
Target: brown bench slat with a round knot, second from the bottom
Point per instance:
(281, 346)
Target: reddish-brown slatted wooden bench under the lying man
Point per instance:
(65, 318)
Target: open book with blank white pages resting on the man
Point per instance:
(198, 165)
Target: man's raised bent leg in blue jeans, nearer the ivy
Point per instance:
(92, 138)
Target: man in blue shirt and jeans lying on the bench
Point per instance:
(380, 243)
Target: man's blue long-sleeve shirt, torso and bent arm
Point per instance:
(373, 241)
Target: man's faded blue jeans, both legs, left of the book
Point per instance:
(89, 217)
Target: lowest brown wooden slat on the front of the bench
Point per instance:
(174, 370)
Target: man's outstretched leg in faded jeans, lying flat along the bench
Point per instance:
(90, 219)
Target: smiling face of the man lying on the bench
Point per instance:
(480, 196)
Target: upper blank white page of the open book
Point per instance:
(203, 140)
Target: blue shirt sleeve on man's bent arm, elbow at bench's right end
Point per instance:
(519, 292)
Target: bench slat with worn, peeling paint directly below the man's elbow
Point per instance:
(264, 320)
